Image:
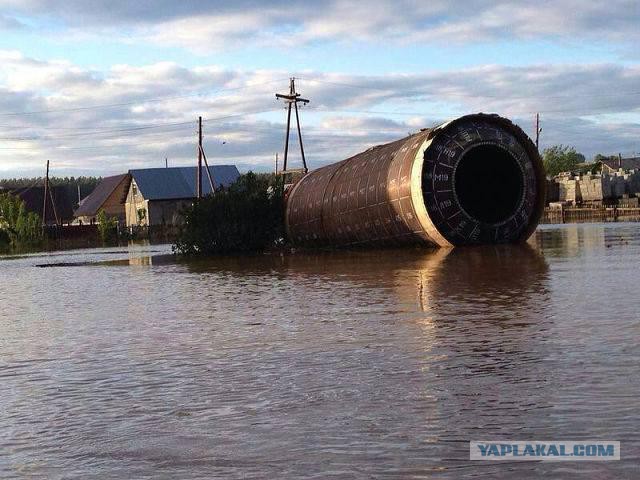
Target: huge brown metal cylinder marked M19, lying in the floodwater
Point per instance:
(475, 180)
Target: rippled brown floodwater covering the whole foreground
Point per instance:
(126, 364)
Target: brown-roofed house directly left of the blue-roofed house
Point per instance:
(109, 195)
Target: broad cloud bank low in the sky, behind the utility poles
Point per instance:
(148, 112)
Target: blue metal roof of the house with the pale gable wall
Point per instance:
(180, 182)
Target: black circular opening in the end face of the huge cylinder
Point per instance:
(489, 183)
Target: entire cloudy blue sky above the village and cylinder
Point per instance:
(100, 87)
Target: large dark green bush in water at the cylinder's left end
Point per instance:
(246, 217)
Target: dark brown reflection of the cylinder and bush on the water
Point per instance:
(432, 277)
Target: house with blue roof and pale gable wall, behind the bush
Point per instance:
(157, 196)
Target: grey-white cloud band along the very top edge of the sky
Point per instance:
(214, 25)
